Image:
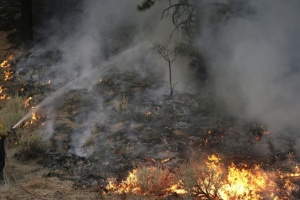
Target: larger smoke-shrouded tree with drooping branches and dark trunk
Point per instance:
(187, 17)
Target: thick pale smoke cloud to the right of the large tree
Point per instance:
(255, 64)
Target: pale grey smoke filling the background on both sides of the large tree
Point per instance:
(253, 60)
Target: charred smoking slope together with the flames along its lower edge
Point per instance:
(126, 142)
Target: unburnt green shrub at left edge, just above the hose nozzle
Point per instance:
(12, 111)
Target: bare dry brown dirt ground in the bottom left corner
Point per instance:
(28, 180)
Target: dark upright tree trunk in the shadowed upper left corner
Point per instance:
(26, 32)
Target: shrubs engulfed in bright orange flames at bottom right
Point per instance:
(213, 180)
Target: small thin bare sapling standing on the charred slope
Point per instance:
(169, 56)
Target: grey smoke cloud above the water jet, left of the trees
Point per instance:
(104, 29)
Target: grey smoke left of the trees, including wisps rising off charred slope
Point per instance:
(106, 34)
